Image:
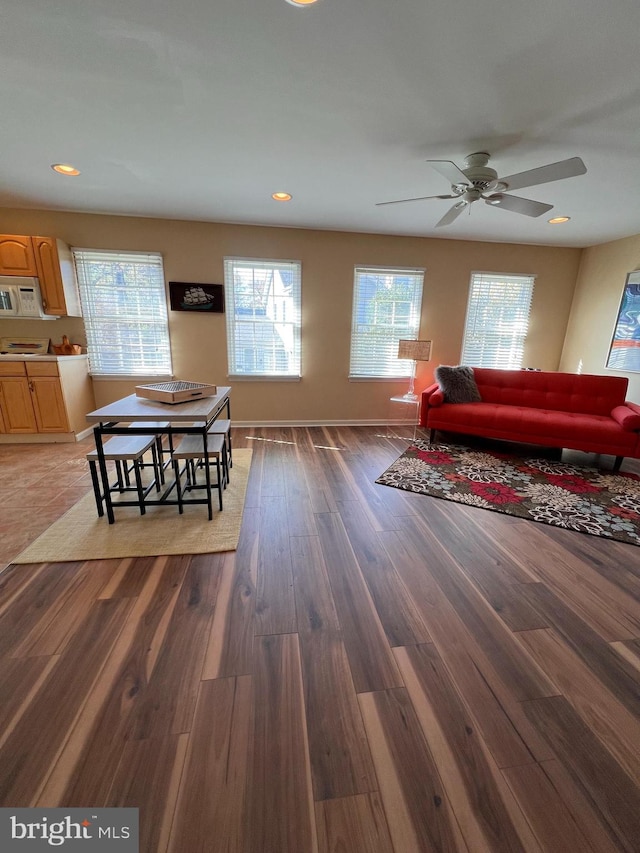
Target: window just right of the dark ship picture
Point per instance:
(262, 300)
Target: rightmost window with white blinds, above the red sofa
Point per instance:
(497, 320)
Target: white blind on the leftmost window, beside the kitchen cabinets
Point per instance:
(125, 312)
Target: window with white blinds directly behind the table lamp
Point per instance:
(386, 308)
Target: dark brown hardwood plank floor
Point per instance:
(371, 670)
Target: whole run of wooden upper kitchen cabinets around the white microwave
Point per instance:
(51, 261)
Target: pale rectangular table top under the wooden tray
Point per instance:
(133, 408)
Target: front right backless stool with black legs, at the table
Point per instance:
(191, 451)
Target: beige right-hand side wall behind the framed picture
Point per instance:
(601, 278)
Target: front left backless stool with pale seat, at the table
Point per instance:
(125, 449)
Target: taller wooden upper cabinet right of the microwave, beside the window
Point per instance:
(57, 276)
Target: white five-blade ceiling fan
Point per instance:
(479, 181)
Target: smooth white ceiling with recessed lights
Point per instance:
(200, 109)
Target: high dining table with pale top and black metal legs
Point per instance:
(152, 417)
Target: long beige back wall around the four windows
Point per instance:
(194, 251)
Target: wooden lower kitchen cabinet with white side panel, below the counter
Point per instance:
(45, 397)
